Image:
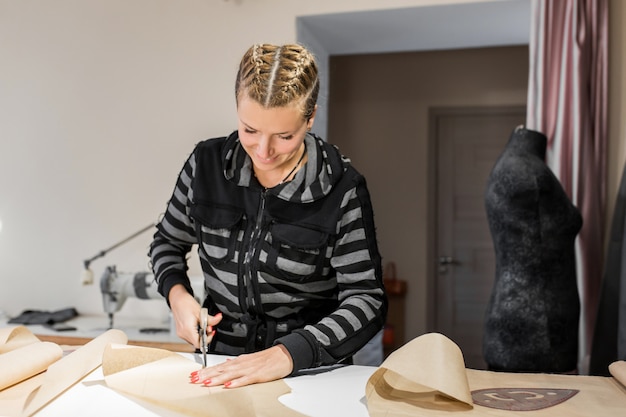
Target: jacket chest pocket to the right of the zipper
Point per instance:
(296, 253)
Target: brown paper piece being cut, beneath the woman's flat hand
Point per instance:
(161, 378)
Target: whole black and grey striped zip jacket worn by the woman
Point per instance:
(296, 264)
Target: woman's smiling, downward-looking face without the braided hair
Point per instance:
(271, 137)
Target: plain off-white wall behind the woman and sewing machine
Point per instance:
(101, 101)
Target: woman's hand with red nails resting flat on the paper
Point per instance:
(264, 366)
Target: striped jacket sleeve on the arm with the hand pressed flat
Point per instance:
(362, 300)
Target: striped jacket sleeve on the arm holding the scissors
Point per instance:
(175, 236)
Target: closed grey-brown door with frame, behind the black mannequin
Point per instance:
(467, 142)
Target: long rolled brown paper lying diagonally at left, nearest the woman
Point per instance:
(28, 397)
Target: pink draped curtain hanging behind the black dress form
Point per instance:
(567, 101)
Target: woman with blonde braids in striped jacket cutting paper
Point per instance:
(285, 231)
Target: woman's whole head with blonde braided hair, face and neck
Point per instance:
(276, 91)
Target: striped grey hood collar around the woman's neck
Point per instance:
(324, 167)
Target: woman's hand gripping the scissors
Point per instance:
(186, 312)
